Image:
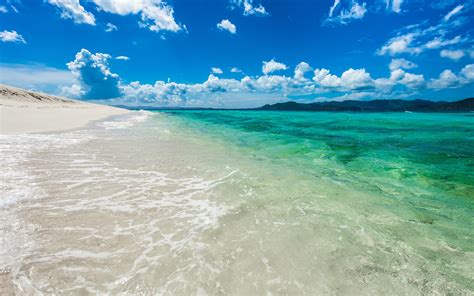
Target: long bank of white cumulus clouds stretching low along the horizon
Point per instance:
(94, 80)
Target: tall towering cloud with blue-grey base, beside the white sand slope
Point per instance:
(94, 75)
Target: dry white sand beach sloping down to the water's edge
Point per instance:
(23, 111)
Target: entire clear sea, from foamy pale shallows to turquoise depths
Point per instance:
(245, 203)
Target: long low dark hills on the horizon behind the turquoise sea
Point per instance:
(465, 105)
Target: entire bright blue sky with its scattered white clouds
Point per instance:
(238, 53)
